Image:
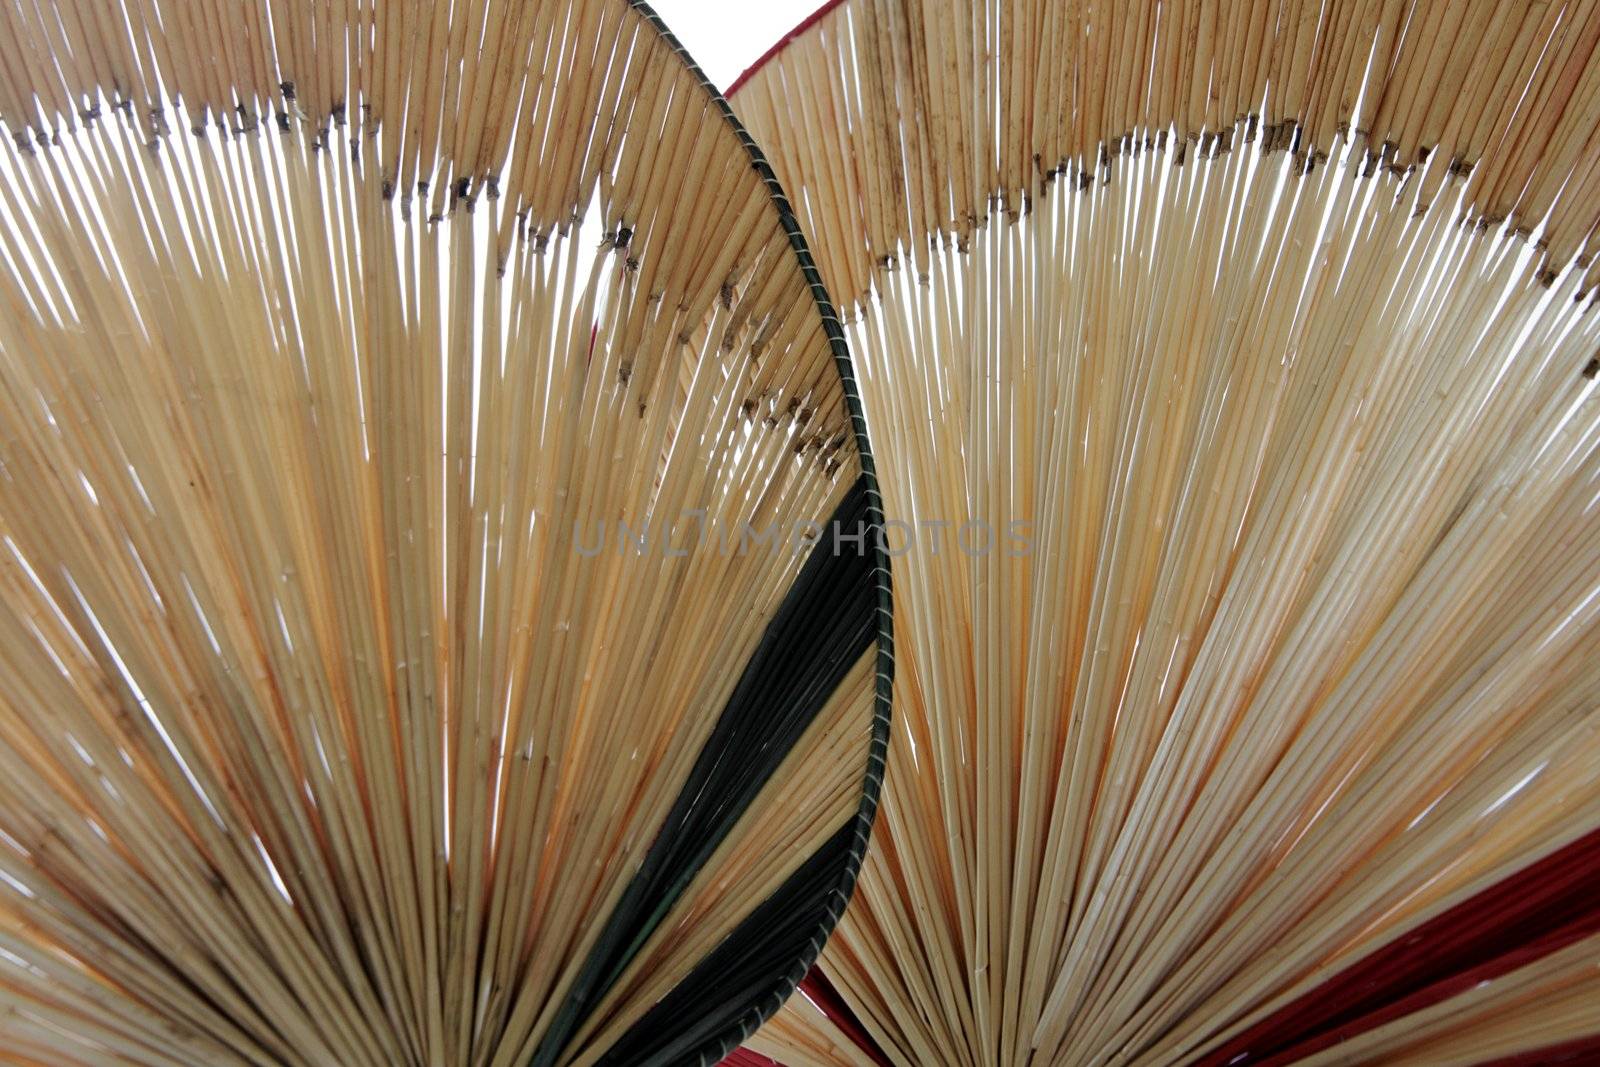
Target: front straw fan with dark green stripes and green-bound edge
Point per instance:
(438, 618)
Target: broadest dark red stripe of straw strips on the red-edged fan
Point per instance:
(1522, 919)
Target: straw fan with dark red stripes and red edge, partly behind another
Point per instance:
(1271, 326)
